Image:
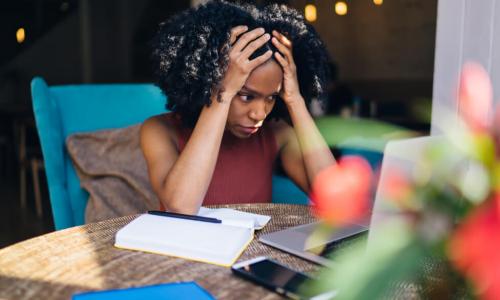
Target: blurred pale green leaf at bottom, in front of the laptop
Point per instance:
(370, 271)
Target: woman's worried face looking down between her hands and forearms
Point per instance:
(255, 100)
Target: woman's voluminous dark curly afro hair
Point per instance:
(191, 53)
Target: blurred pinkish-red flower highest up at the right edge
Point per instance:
(475, 96)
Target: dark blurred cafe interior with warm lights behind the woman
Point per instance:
(383, 54)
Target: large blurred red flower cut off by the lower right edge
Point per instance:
(475, 249)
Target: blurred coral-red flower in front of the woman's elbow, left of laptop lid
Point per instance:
(340, 193)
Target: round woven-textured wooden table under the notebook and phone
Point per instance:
(82, 258)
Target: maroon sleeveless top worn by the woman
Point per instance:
(243, 172)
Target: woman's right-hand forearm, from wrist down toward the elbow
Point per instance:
(315, 151)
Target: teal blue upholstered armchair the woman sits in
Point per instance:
(63, 110)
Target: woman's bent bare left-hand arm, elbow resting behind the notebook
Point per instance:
(181, 180)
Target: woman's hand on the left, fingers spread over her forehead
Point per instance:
(244, 43)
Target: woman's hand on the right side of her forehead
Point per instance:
(290, 92)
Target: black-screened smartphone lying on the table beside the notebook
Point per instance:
(277, 277)
